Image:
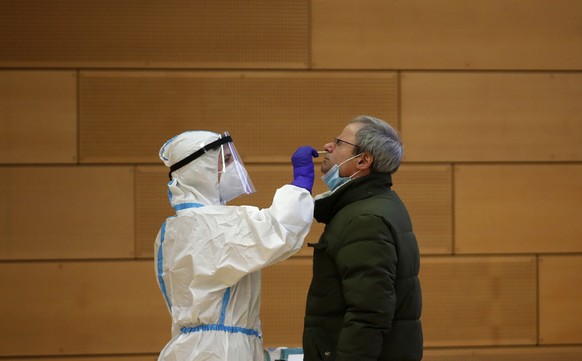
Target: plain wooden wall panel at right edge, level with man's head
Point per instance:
(491, 116)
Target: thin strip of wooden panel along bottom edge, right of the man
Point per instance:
(505, 354)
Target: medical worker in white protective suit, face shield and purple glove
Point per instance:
(208, 257)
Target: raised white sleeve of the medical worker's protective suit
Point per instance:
(243, 239)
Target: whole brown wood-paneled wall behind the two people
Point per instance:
(487, 96)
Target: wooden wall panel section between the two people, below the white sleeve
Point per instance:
(284, 292)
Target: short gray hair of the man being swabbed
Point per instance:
(382, 141)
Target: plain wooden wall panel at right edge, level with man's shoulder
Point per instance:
(518, 208)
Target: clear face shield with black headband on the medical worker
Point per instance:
(233, 179)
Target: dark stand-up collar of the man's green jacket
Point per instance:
(352, 191)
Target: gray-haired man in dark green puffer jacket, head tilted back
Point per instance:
(364, 302)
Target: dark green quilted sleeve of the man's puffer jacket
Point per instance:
(367, 266)
